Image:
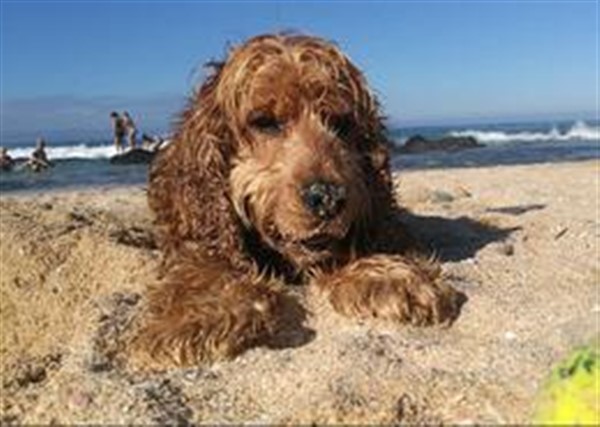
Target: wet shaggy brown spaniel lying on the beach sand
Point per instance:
(279, 168)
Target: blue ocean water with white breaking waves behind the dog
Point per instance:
(86, 163)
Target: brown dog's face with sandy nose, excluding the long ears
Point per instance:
(303, 123)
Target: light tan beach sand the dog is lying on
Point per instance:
(521, 242)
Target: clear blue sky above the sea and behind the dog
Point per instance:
(64, 65)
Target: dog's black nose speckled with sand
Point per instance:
(324, 199)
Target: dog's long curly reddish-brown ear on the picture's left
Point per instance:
(188, 180)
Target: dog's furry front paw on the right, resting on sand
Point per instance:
(393, 288)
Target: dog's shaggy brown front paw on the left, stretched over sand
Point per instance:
(204, 328)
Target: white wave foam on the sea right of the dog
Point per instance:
(579, 131)
